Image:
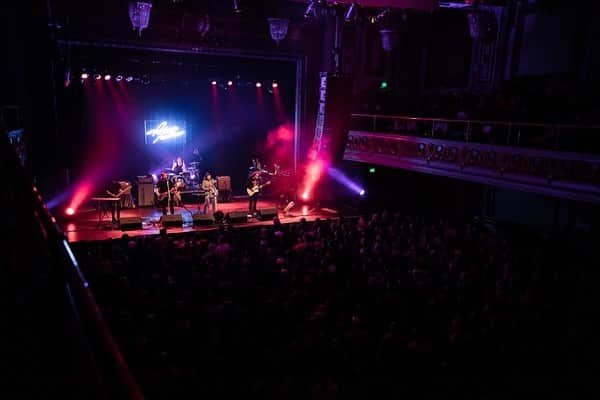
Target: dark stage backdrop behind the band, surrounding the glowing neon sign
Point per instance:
(228, 127)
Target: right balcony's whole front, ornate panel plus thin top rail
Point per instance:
(556, 160)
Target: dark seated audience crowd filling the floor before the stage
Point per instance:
(347, 307)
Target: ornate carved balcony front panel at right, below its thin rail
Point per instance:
(562, 174)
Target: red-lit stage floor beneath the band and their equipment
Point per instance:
(86, 226)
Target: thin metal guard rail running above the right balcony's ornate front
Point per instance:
(560, 137)
